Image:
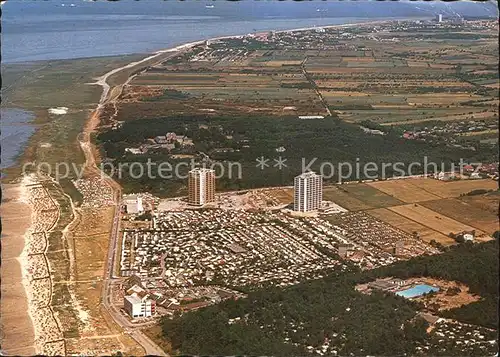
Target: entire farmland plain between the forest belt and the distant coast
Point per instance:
(387, 73)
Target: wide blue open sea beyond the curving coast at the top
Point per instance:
(39, 30)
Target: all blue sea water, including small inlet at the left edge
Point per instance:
(35, 30)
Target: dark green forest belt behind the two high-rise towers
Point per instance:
(243, 139)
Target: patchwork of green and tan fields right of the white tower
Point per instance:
(427, 207)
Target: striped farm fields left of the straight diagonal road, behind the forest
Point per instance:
(264, 86)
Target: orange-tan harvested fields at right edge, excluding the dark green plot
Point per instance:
(433, 213)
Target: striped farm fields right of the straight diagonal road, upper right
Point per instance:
(406, 83)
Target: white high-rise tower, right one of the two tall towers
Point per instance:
(308, 192)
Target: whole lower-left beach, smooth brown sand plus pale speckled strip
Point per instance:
(28, 320)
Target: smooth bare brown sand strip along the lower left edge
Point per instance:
(18, 335)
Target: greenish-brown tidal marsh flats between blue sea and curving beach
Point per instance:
(39, 86)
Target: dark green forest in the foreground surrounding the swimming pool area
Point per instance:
(283, 322)
